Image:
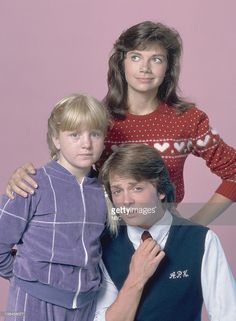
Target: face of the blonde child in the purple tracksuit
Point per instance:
(79, 150)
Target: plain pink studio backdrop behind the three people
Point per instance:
(53, 48)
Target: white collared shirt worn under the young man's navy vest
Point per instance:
(218, 284)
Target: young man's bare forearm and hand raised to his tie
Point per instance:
(143, 264)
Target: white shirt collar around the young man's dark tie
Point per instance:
(158, 230)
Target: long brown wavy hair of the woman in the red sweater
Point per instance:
(139, 37)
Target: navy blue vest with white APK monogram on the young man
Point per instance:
(174, 292)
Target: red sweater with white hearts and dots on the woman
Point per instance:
(175, 136)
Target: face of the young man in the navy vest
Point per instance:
(138, 203)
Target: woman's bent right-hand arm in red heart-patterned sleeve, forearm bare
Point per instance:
(221, 159)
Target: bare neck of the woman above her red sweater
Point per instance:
(142, 104)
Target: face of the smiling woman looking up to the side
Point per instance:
(145, 69)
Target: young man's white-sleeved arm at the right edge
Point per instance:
(218, 284)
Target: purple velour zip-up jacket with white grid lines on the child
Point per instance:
(57, 233)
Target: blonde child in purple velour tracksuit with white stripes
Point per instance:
(55, 274)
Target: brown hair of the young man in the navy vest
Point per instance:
(141, 163)
